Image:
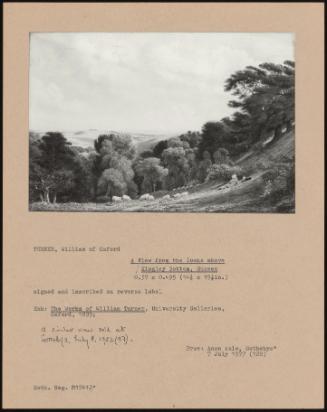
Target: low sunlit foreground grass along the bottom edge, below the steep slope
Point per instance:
(245, 197)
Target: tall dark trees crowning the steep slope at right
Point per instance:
(264, 99)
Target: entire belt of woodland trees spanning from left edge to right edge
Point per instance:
(264, 103)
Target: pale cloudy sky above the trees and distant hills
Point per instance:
(140, 82)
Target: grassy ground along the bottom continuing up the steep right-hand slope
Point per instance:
(247, 196)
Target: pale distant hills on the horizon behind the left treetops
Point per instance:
(85, 138)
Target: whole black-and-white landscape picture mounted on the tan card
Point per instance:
(162, 122)
